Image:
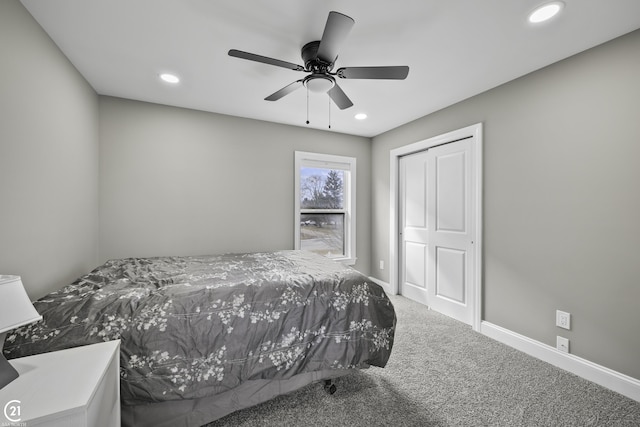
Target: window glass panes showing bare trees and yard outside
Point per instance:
(322, 211)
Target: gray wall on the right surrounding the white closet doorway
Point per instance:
(561, 200)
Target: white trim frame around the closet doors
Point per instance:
(473, 131)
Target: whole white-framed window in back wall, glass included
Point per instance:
(325, 205)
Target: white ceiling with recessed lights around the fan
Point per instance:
(455, 49)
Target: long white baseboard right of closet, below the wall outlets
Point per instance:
(605, 377)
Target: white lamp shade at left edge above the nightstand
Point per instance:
(15, 307)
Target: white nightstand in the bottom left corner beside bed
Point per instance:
(75, 387)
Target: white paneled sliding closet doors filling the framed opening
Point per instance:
(436, 228)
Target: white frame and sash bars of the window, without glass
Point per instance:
(329, 161)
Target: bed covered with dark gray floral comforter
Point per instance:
(204, 336)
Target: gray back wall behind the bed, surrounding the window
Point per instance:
(182, 182)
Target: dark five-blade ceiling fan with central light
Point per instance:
(319, 58)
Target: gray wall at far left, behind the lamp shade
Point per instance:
(48, 158)
